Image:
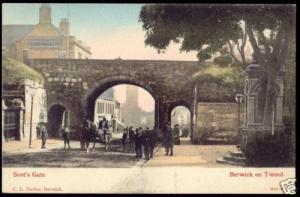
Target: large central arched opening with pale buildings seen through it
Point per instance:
(123, 104)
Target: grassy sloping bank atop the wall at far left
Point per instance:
(13, 72)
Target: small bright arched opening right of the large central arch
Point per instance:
(181, 116)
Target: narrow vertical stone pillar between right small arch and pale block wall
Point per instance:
(194, 114)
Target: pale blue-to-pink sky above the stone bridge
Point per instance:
(111, 30)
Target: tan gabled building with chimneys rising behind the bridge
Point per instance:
(43, 40)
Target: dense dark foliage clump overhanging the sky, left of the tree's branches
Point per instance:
(203, 28)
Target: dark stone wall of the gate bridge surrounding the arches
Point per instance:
(76, 84)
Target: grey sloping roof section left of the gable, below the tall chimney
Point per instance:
(13, 33)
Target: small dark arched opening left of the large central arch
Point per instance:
(57, 119)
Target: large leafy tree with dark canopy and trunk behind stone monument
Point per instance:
(209, 28)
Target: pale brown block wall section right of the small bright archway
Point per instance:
(217, 122)
